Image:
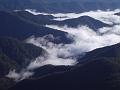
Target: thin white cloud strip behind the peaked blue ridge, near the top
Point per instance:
(107, 16)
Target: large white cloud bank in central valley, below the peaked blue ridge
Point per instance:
(85, 40)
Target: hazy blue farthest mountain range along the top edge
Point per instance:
(54, 6)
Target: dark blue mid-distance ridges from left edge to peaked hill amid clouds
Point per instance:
(29, 25)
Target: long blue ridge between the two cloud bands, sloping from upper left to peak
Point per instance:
(74, 23)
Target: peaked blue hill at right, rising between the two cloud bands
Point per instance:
(84, 20)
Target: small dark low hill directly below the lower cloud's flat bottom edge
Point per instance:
(48, 70)
